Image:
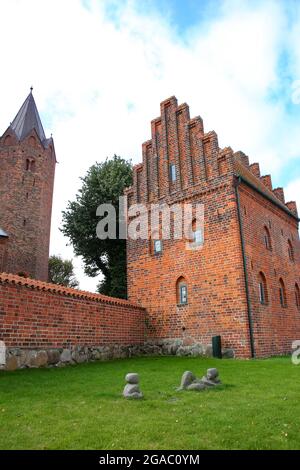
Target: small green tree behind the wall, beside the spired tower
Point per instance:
(62, 272)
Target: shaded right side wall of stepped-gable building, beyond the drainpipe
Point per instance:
(275, 327)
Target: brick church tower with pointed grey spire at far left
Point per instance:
(27, 167)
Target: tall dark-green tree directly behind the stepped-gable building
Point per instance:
(103, 183)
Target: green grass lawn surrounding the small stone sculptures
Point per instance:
(81, 407)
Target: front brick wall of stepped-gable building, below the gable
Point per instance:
(214, 275)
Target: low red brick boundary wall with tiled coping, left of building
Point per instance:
(37, 315)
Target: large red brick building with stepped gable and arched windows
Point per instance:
(244, 282)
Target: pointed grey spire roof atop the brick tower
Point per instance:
(28, 119)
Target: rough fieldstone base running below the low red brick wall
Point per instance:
(21, 358)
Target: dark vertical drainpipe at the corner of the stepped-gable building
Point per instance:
(250, 320)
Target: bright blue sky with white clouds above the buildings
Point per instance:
(100, 68)
